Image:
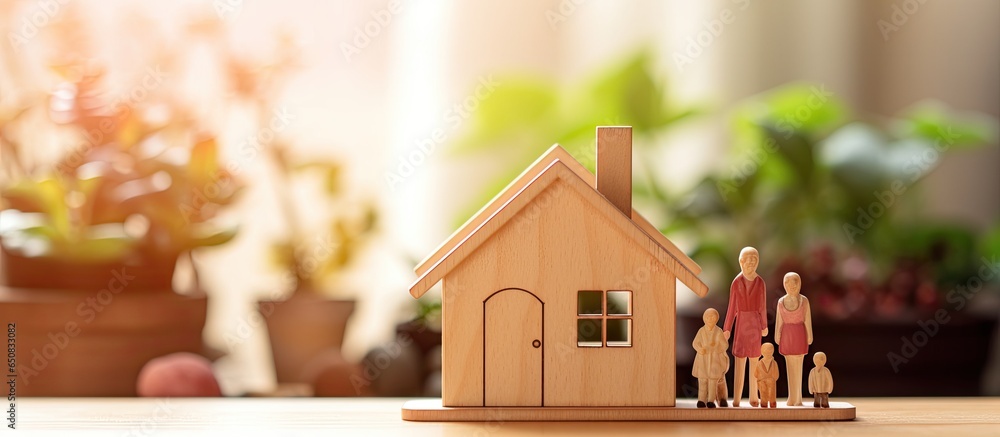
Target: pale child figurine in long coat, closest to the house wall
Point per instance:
(710, 361)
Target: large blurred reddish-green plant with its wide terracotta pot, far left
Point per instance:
(89, 246)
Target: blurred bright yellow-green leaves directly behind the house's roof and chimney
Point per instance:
(525, 116)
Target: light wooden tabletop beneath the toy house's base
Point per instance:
(948, 417)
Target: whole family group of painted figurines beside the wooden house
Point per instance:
(746, 323)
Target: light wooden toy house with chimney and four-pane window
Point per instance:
(558, 293)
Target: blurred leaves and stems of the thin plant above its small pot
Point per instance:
(313, 258)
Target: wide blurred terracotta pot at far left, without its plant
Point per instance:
(94, 343)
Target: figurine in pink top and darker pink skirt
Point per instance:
(793, 334)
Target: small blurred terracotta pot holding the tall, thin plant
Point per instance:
(301, 328)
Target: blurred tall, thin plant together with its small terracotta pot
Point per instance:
(302, 323)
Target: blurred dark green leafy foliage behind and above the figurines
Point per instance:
(803, 173)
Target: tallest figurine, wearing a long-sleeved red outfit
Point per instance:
(747, 309)
